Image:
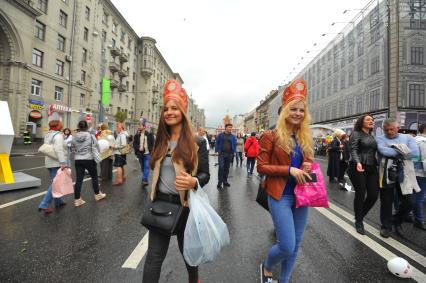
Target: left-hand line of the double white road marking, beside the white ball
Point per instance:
(373, 245)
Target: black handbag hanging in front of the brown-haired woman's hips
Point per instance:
(164, 215)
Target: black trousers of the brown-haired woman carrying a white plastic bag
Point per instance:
(158, 244)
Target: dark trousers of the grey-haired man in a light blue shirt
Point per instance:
(386, 201)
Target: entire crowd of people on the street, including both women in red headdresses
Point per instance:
(392, 166)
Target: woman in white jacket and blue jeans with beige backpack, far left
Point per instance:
(56, 139)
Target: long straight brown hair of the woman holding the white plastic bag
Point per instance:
(185, 149)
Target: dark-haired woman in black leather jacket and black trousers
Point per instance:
(363, 169)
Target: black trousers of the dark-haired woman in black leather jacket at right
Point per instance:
(364, 182)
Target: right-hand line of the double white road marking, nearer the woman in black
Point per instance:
(390, 241)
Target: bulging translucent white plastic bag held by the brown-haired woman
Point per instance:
(205, 232)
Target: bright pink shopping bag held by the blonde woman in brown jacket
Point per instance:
(312, 194)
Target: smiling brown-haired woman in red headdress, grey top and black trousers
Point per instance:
(179, 161)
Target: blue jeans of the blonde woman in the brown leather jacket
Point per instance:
(289, 223)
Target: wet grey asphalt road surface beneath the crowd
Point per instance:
(91, 243)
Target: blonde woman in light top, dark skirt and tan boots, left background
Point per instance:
(119, 155)
